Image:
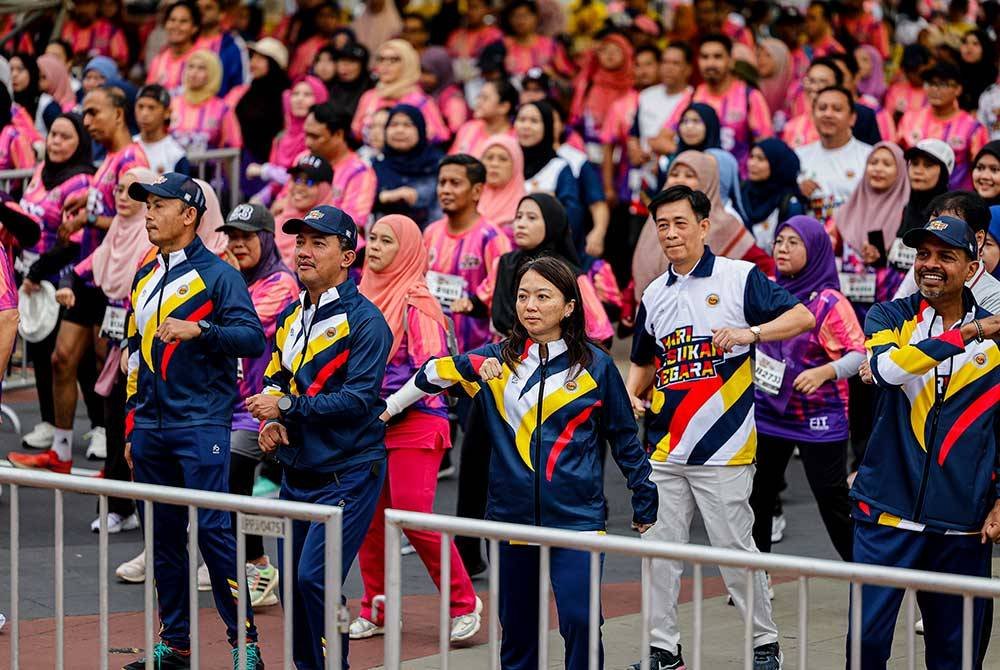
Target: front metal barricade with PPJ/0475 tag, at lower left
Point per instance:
(259, 516)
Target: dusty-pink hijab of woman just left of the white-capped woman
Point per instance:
(868, 210)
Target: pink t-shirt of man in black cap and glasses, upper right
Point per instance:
(963, 133)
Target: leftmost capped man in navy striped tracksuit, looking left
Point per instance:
(191, 319)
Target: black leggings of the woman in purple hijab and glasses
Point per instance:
(826, 469)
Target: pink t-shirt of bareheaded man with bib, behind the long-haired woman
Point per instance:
(468, 255)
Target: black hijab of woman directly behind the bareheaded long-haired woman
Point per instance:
(558, 243)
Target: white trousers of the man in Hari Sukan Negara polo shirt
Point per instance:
(722, 496)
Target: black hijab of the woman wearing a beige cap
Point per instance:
(260, 113)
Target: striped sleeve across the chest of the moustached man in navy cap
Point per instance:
(893, 359)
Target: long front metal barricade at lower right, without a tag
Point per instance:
(547, 538)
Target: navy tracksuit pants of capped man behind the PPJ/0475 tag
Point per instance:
(356, 491)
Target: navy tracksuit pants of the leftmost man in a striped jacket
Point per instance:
(194, 458)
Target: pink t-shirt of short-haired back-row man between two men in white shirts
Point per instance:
(743, 115)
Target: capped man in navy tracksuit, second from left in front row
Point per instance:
(321, 404)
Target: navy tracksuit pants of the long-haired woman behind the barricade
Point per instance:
(570, 575)
